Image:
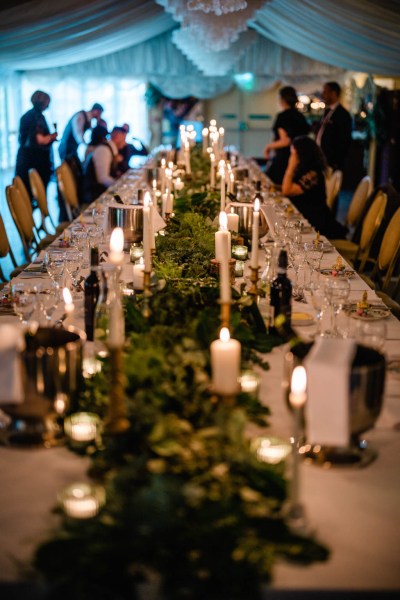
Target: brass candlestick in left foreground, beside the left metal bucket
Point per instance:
(116, 421)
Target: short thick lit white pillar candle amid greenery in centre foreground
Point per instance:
(225, 363)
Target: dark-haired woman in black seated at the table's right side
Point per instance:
(304, 184)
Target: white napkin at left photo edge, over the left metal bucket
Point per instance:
(11, 344)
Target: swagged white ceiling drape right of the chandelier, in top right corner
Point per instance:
(360, 35)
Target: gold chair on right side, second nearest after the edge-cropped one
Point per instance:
(359, 253)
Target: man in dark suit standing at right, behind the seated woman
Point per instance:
(334, 133)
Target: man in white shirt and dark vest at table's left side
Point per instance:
(101, 167)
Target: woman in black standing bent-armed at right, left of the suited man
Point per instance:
(289, 124)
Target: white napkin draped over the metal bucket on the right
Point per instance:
(328, 367)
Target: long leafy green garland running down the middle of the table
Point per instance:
(188, 504)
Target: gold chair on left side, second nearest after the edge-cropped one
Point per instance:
(23, 219)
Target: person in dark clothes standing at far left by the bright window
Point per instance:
(35, 142)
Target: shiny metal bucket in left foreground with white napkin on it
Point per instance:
(51, 368)
